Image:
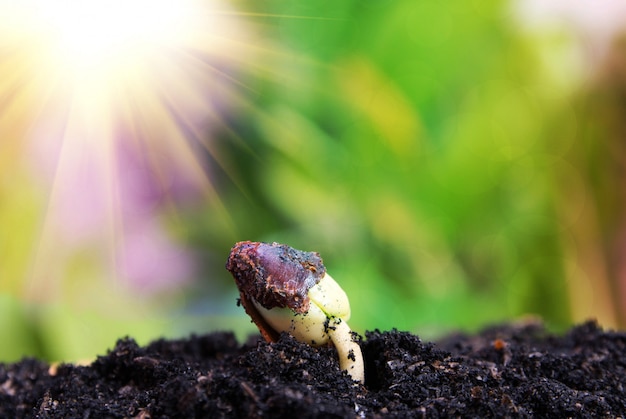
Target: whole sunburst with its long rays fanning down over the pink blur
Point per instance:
(105, 94)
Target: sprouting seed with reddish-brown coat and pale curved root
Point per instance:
(287, 290)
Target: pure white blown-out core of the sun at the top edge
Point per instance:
(90, 34)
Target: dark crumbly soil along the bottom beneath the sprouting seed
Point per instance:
(506, 371)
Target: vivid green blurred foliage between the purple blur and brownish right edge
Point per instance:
(404, 141)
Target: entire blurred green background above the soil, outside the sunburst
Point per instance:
(454, 165)
